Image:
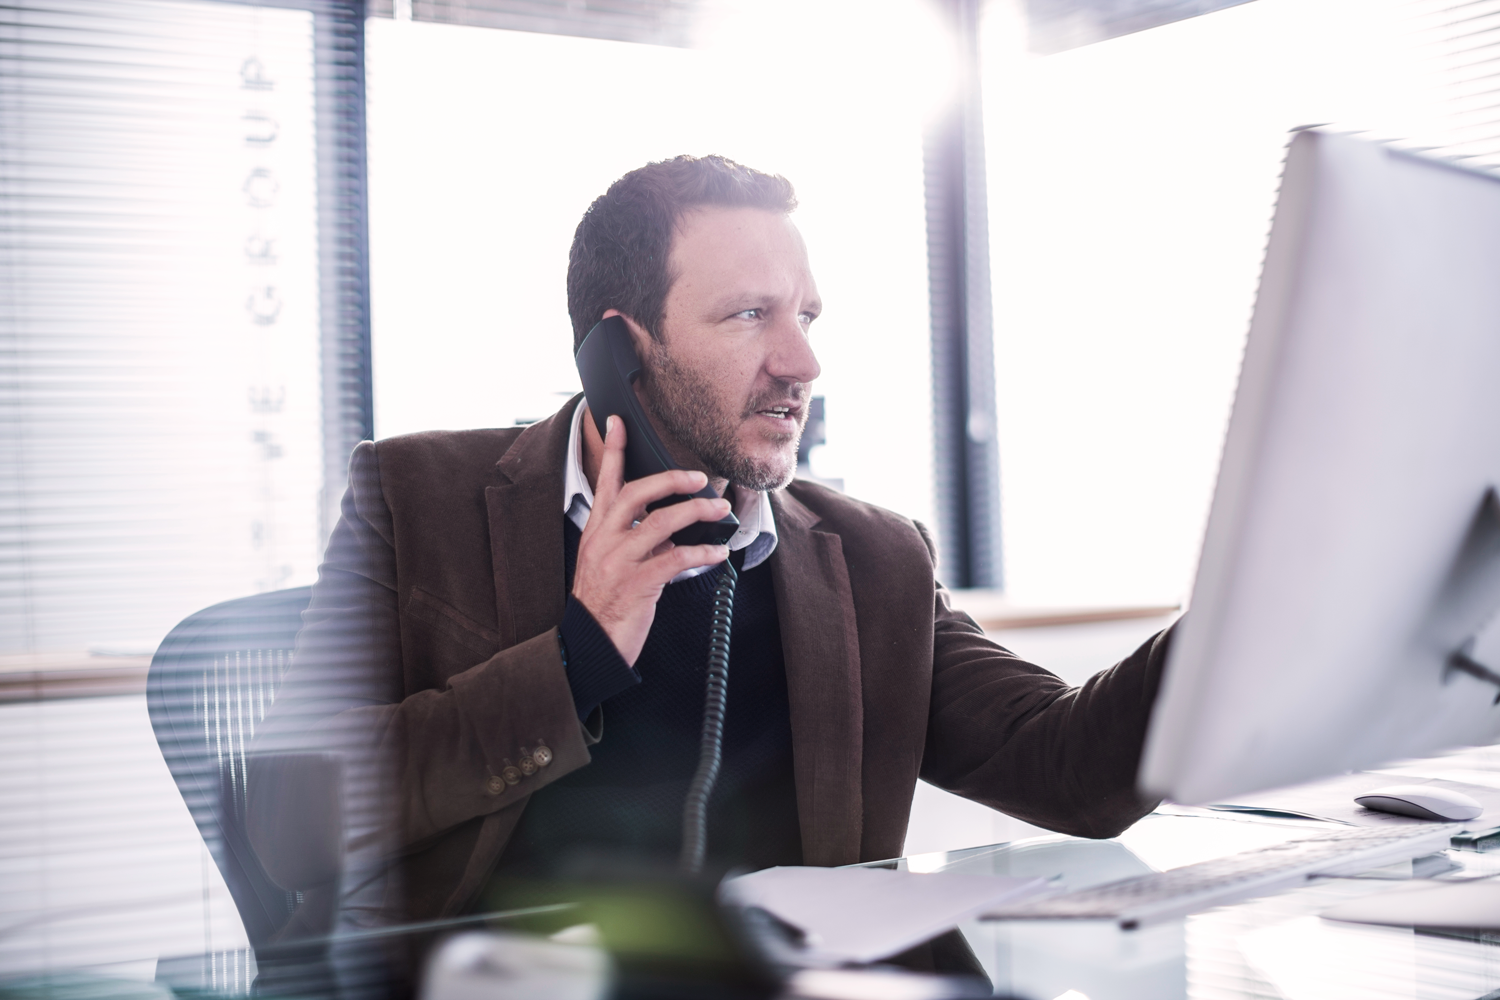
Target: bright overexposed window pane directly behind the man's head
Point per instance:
(487, 148)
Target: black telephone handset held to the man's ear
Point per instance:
(610, 367)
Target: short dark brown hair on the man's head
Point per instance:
(623, 244)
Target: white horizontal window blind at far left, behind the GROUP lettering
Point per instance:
(170, 419)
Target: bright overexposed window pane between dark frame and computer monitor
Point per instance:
(1132, 188)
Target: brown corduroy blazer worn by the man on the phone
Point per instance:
(434, 633)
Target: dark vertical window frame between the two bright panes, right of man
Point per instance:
(967, 463)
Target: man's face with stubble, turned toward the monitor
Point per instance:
(730, 383)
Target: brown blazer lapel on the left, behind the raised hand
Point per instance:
(526, 530)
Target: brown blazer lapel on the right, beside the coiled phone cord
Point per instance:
(815, 609)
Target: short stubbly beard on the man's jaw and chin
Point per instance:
(691, 410)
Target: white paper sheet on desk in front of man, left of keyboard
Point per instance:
(865, 915)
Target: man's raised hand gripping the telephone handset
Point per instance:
(626, 555)
